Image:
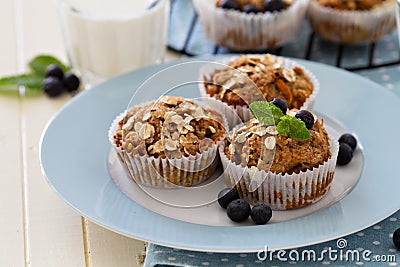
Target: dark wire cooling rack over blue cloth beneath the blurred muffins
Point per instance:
(187, 36)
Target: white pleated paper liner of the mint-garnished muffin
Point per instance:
(281, 191)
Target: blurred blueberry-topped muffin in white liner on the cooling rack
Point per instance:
(251, 24)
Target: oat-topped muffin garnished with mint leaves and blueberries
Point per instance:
(282, 170)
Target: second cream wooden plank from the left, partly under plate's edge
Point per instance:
(53, 229)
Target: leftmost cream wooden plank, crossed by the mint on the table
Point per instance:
(11, 221)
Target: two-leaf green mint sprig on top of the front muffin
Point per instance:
(269, 114)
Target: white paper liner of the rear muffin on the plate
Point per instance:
(238, 114)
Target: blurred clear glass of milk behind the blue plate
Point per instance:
(105, 38)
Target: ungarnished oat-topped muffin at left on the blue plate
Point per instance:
(168, 143)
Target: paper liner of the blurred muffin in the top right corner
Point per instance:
(352, 27)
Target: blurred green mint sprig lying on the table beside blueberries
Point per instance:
(32, 80)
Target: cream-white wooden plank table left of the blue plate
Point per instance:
(37, 227)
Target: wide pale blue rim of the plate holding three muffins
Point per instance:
(74, 152)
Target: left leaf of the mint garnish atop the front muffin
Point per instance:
(265, 112)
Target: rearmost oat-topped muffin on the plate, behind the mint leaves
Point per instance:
(237, 82)
